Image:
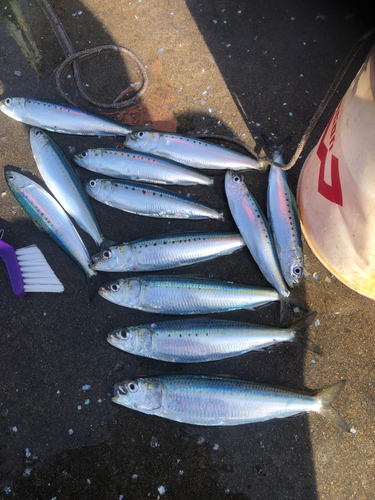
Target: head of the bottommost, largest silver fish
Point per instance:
(142, 394)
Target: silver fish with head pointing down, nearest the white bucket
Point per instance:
(284, 220)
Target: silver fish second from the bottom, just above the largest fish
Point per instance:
(199, 340)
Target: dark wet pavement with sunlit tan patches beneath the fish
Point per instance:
(231, 68)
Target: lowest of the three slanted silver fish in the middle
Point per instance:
(151, 201)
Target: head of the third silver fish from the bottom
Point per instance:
(123, 292)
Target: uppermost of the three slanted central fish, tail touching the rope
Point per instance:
(190, 151)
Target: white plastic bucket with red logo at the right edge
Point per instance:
(336, 188)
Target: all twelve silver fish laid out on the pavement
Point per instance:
(136, 173)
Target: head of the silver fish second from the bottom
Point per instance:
(133, 339)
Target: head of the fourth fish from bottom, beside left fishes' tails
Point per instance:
(115, 258)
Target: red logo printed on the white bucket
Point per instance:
(332, 192)
